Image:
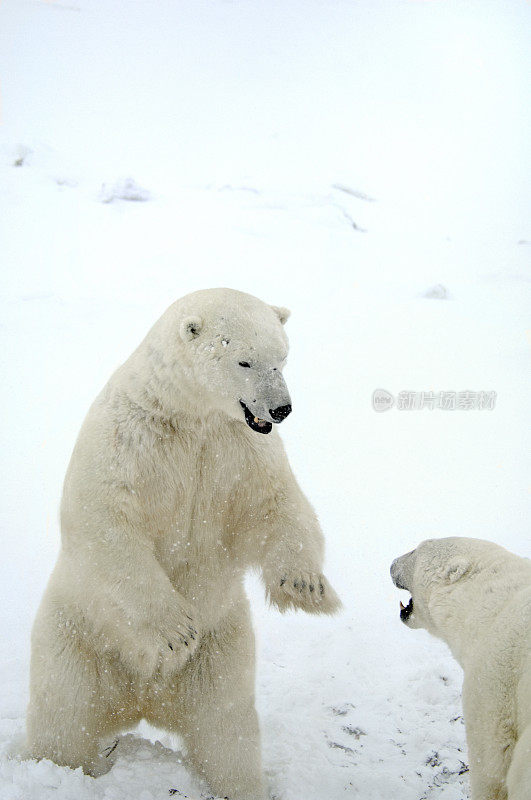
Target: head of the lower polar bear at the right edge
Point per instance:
(438, 575)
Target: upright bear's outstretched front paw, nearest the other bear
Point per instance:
(309, 591)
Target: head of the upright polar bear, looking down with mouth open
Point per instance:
(227, 351)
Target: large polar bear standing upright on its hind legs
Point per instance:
(178, 484)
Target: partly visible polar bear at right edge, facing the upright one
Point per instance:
(476, 596)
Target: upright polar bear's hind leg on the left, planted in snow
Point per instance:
(75, 700)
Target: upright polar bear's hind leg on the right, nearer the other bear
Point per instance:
(212, 706)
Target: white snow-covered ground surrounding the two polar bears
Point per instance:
(340, 157)
